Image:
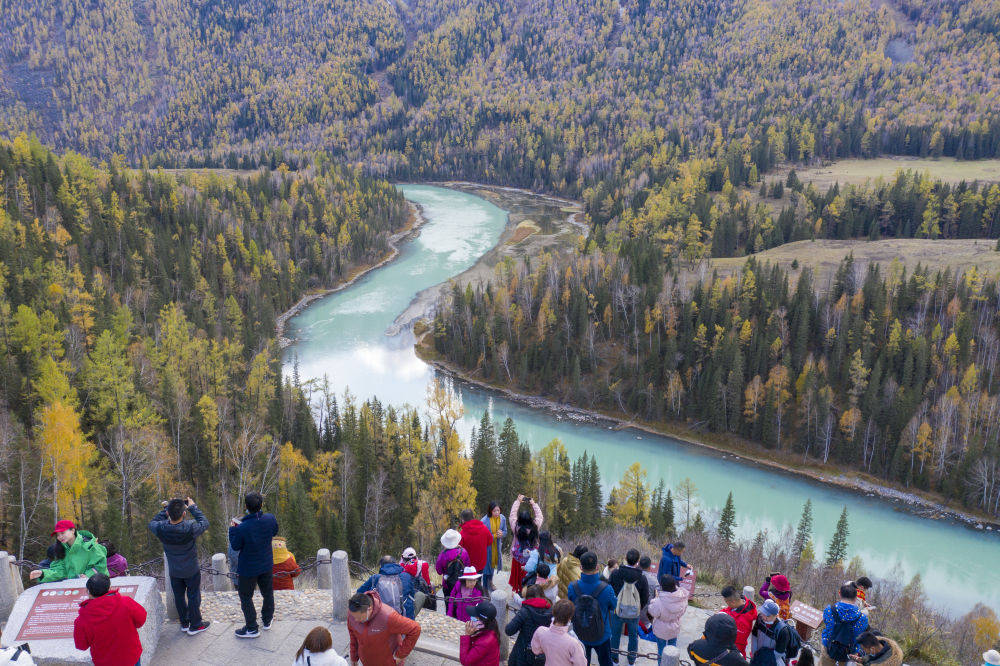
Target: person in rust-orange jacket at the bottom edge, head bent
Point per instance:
(379, 635)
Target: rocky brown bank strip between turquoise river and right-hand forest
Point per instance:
(923, 505)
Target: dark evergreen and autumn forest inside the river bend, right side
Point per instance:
(894, 373)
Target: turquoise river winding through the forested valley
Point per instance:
(342, 337)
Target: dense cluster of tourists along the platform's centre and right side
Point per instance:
(569, 608)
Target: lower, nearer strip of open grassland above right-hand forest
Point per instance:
(823, 256)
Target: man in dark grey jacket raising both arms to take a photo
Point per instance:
(178, 537)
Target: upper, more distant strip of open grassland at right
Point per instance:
(858, 171)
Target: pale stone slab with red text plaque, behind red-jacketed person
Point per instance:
(50, 609)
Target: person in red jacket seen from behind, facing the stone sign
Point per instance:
(108, 625)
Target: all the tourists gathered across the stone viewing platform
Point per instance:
(567, 607)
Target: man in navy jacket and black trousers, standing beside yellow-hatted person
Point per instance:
(251, 535)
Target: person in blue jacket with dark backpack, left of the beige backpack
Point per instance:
(595, 604)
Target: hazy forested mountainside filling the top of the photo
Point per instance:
(545, 94)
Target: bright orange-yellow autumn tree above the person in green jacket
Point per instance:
(65, 455)
